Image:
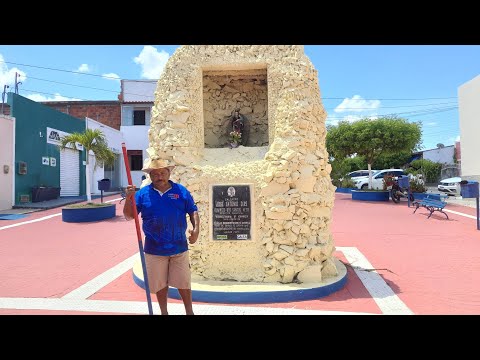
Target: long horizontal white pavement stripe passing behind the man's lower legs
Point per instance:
(138, 307)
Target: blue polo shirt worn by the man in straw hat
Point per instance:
(165, 218)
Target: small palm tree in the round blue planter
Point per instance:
(94, 140)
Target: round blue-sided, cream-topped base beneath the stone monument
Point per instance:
(254, 293)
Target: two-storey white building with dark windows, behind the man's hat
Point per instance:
(137, 97)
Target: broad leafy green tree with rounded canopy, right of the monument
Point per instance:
(372, 138)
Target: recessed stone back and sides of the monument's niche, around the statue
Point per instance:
(224, 91)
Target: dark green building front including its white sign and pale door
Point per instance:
(39, 164)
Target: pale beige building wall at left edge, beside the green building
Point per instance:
(7, 168)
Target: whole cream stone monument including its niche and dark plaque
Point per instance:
(265, 206)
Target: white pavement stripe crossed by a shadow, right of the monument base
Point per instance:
(386, 299)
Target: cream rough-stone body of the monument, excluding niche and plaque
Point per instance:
(292, 192)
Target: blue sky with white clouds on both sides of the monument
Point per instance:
(416, 82)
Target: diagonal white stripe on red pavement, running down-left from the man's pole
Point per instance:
(102, 280)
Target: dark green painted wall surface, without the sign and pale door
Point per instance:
(31, 119)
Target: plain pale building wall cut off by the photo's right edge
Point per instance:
(469, 113)
